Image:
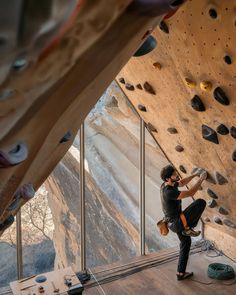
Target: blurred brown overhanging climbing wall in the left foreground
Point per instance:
(48, 88)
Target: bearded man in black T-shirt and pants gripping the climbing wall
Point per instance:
(182, 223)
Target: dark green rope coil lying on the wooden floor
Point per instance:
(220, 271)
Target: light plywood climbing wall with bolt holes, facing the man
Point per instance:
(186, 89)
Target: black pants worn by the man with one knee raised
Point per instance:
(192, 213)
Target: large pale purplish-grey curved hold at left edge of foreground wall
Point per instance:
(14, 155)
